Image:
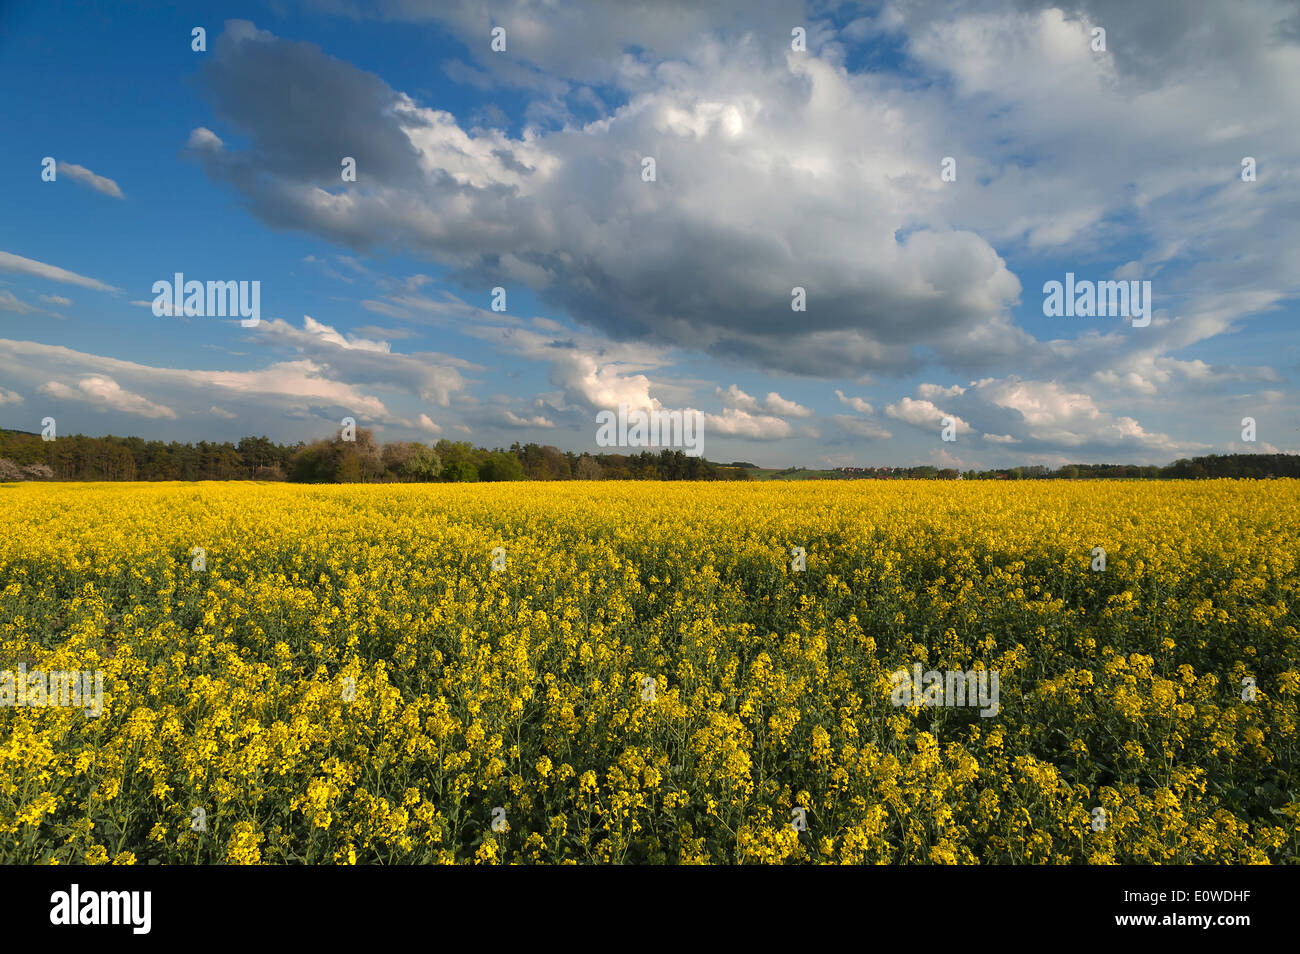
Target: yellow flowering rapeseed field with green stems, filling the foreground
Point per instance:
(643, 673)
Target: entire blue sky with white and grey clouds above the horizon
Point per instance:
(775, 168)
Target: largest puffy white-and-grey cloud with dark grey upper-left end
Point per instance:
(761, 148)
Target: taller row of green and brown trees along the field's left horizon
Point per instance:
(332, 461)
